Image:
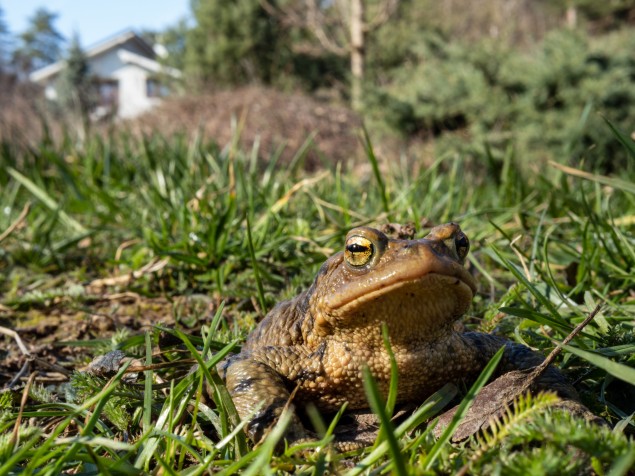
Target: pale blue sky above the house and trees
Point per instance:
(96, 20)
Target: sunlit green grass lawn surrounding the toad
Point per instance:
(171, 249)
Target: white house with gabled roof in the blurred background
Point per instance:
(125, 72)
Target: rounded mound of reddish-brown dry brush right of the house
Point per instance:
(267, 116)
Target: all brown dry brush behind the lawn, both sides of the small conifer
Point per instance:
(272, 121)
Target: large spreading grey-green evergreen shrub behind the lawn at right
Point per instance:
(551, 101)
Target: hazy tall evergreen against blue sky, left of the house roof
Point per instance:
(40, 44)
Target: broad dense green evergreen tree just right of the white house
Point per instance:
(233, 42)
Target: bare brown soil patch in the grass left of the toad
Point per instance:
(61, 336)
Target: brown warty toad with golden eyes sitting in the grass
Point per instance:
(313, 348)
